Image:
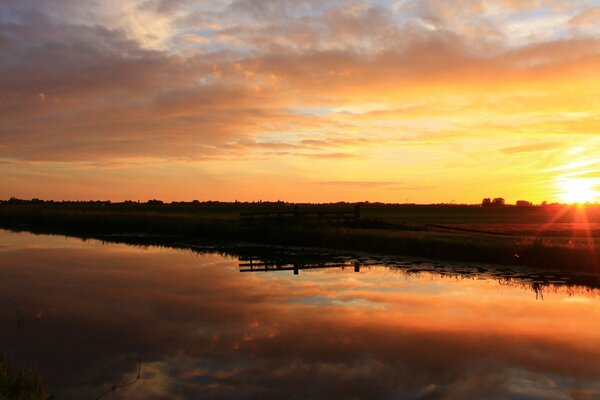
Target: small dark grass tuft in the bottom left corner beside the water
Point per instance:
(20, 383)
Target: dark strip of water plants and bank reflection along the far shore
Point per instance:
(294, 258)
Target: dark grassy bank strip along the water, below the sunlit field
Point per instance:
(160, 226)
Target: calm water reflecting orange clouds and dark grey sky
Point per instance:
(206, 330)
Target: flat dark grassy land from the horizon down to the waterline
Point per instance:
(556, 238)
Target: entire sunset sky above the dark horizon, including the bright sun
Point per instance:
(422, 101)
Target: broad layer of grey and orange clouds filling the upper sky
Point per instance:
(120, 82)
